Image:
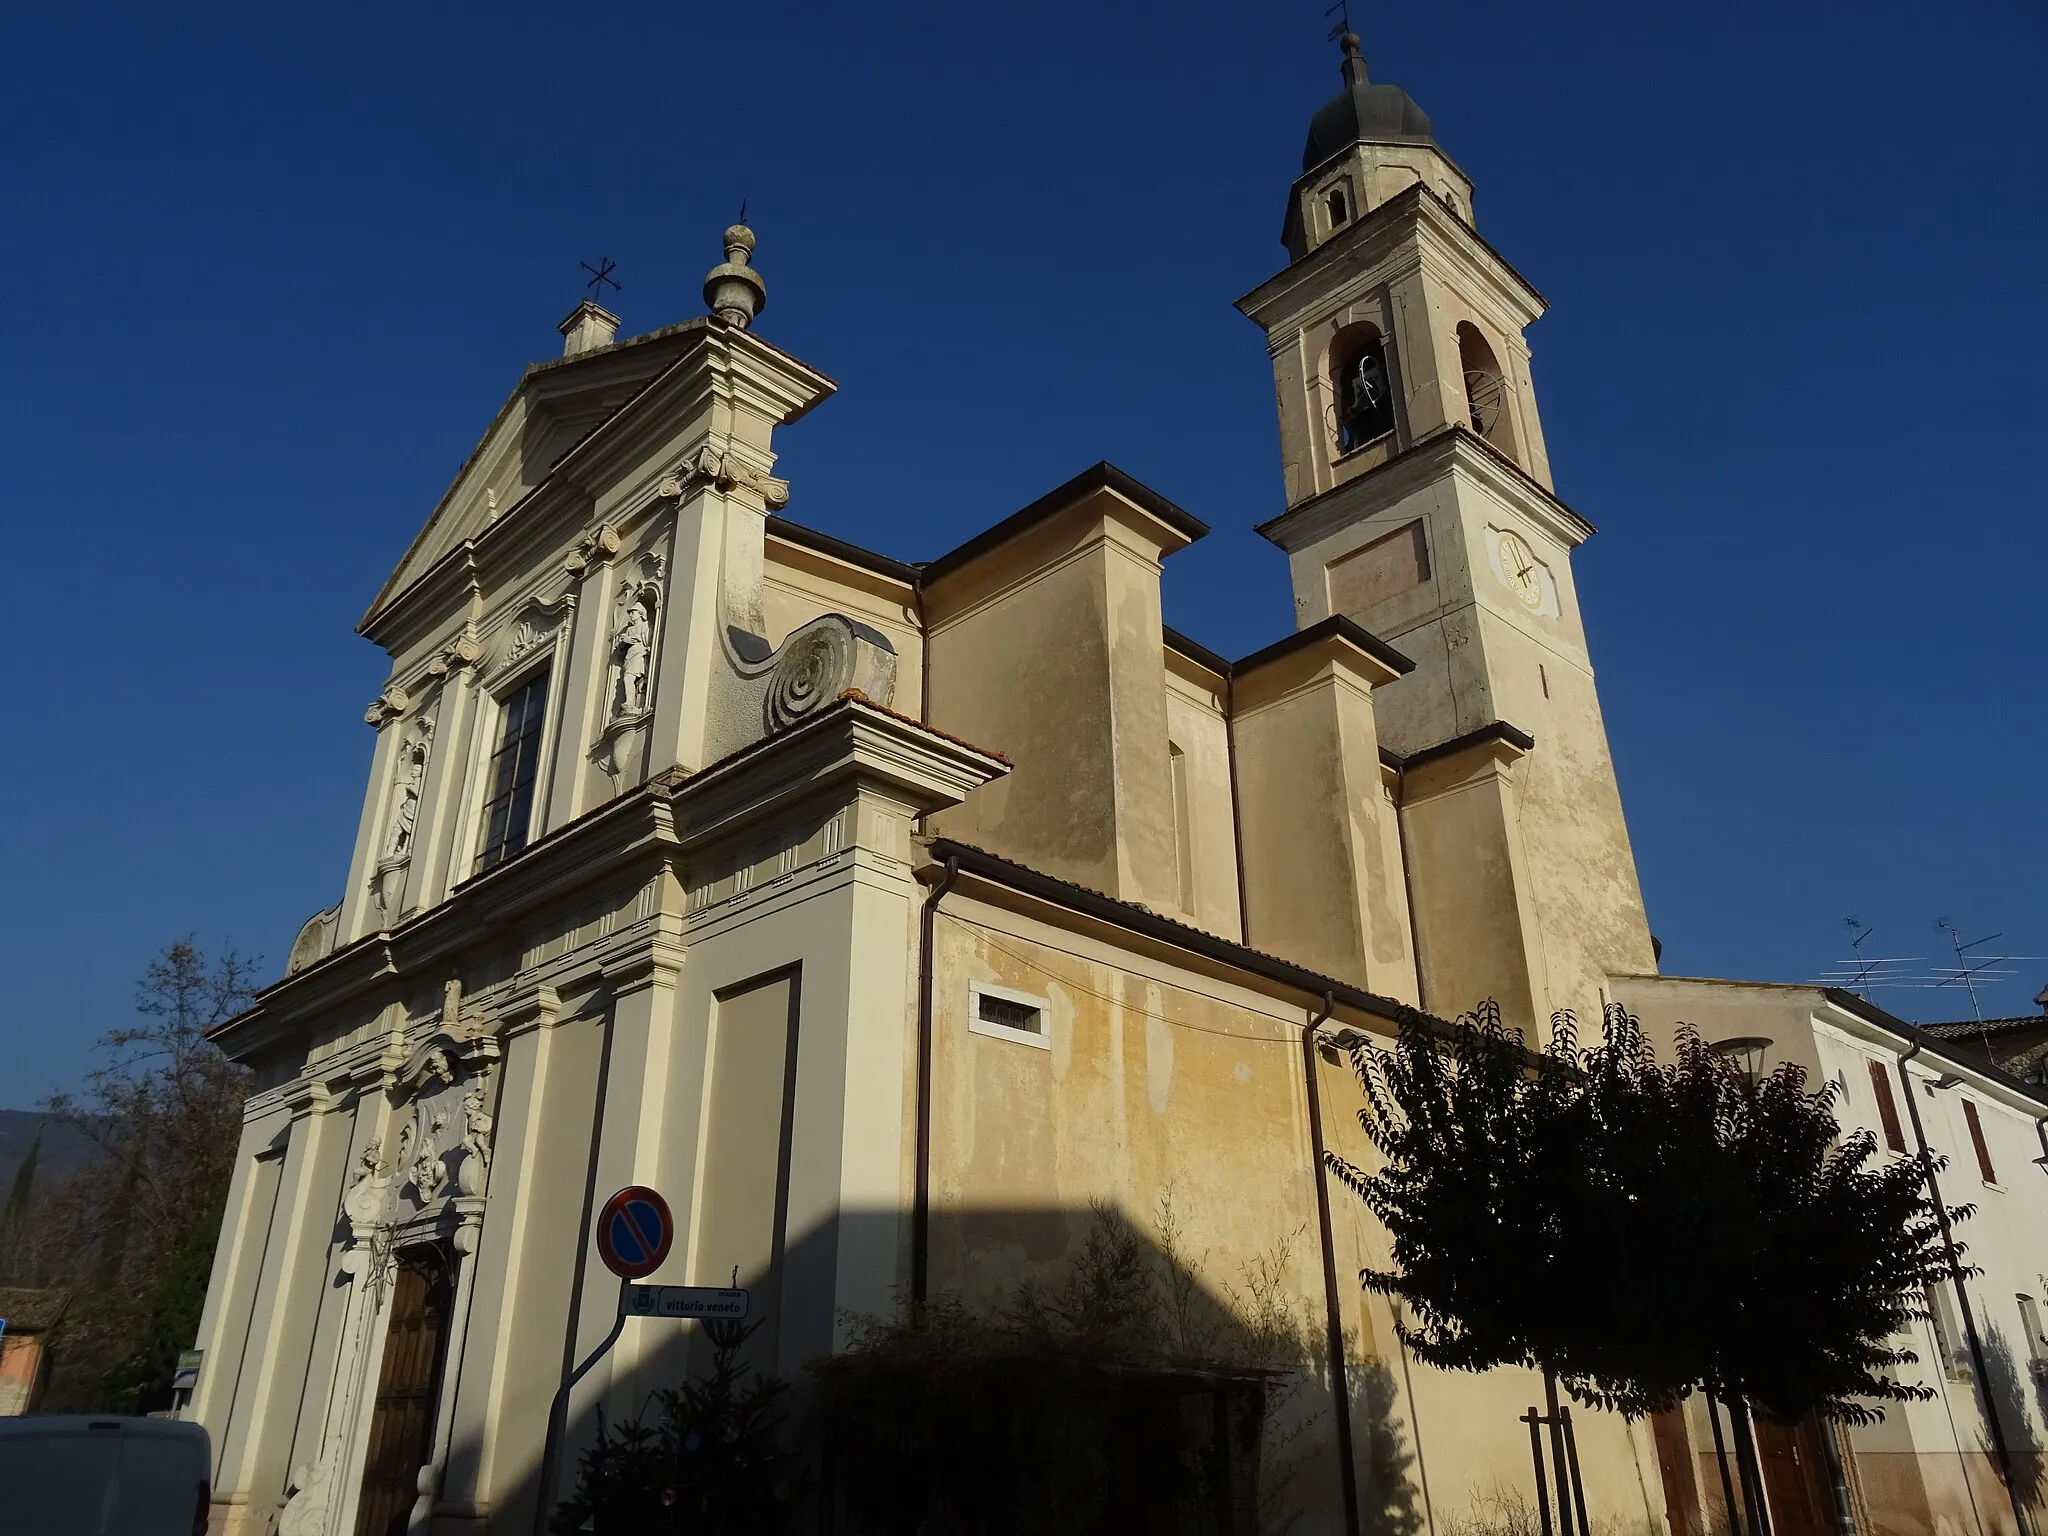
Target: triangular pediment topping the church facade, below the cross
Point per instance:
(552, 411)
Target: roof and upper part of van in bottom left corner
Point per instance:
(99, 1476)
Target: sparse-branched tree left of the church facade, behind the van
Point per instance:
(134, 1234)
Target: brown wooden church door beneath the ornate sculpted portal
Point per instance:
(402, 1422)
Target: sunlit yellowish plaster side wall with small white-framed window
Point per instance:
(1177, 1099)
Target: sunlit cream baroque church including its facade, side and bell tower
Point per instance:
(898, 919)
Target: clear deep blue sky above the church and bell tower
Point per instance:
(269, 275)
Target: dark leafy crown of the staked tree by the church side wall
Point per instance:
(1637, 1230)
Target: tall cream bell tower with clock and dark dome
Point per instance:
(1420, 505)
